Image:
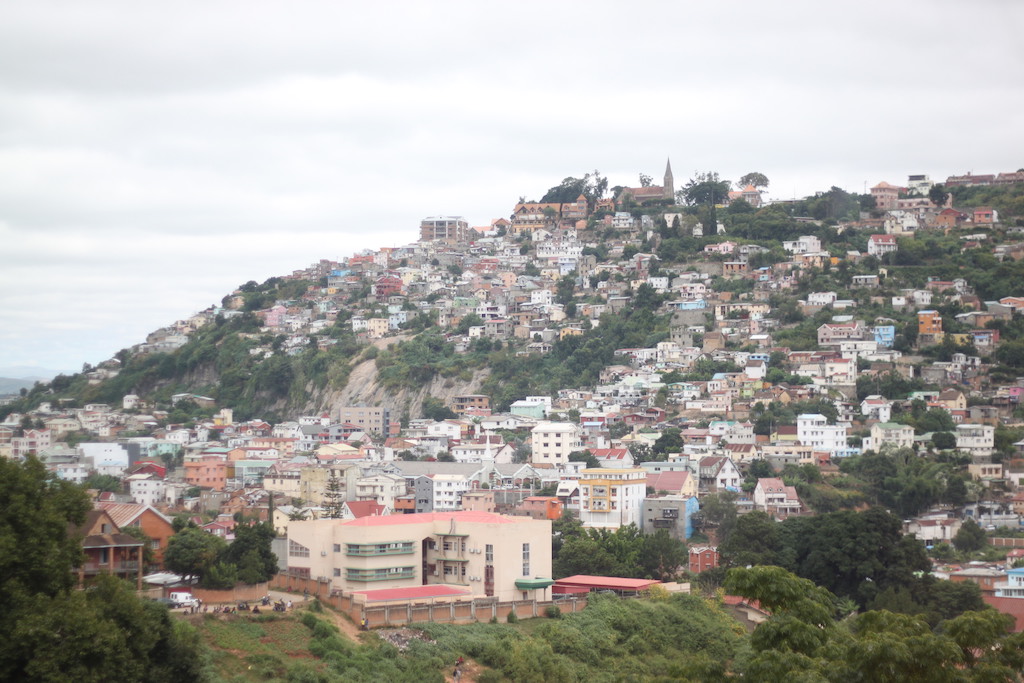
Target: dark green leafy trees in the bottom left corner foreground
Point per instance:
(53, 632)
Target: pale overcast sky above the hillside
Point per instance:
(156, 156)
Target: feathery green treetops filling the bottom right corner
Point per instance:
(804, 642)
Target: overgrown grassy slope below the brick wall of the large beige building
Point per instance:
(678, 638)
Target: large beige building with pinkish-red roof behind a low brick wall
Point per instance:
(486, 553)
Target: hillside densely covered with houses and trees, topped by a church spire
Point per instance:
(685, 363)
